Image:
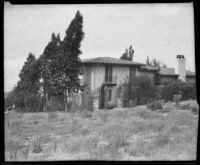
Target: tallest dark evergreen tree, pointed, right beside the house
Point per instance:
(68, 63)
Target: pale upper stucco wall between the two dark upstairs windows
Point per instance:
(121, 72)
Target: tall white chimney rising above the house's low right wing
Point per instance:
(180, 68)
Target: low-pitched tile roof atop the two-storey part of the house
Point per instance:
(109, 60)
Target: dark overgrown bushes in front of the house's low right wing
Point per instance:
(141, 90)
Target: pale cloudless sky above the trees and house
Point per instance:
(160, 31)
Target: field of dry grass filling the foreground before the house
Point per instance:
(119, 134)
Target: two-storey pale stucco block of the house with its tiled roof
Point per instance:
(104, 74)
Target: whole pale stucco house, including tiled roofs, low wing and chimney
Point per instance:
(103, 75)
